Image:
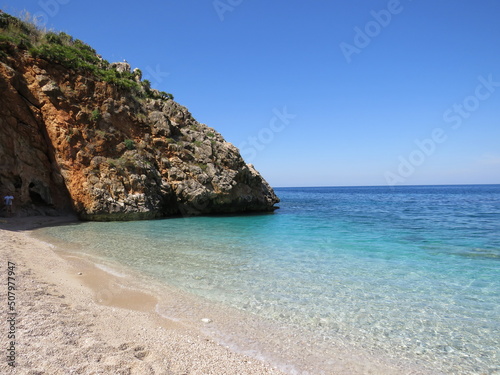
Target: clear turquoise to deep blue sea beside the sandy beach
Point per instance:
(405, 276)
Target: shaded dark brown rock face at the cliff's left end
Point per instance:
(28, 169)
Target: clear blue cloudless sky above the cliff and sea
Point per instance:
(318, 92)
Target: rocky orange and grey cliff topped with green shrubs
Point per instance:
(78, 133)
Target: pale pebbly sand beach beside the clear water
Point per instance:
(60, 328)
